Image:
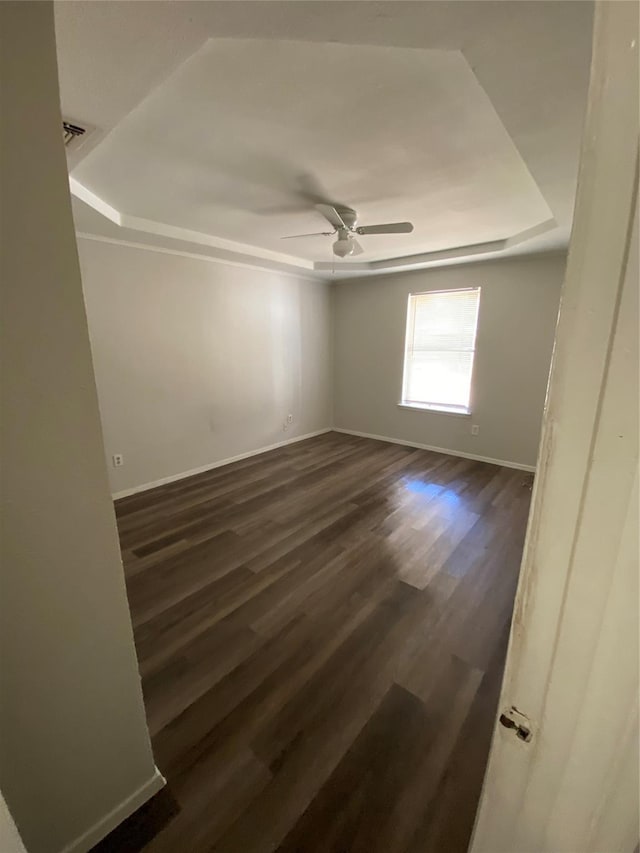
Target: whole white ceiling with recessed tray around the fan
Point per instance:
(213, 119)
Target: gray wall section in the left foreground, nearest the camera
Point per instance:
(73, 738)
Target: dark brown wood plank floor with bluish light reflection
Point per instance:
(321, 633)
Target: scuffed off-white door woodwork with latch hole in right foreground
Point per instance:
(572, 666)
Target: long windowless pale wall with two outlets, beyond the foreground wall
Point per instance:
(199, 361)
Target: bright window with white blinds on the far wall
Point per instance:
(439, 349)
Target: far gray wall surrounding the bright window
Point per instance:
(518, 310)
